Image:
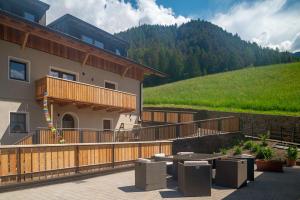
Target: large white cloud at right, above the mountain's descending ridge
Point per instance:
(264, 22)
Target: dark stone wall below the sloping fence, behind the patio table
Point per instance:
(206, 144)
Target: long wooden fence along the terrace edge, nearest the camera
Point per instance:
(23, 163)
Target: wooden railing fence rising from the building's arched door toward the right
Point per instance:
(150, 133)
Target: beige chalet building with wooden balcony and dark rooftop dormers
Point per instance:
(82, 71)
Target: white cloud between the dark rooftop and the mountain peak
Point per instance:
(114, 15)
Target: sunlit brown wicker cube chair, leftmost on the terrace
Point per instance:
(150, 175)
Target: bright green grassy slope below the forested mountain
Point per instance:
(273, 89)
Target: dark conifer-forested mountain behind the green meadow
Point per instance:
(193, 49)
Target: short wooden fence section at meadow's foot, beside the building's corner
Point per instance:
(168, 116)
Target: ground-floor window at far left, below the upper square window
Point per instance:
(18, 123)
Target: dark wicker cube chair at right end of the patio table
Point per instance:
(231, 173)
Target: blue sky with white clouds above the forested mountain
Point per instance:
(270, 23)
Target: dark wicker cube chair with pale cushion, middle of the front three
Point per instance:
(194, 178)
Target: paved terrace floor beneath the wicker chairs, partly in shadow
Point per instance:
(120, 186)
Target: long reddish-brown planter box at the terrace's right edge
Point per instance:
(269, 165)
